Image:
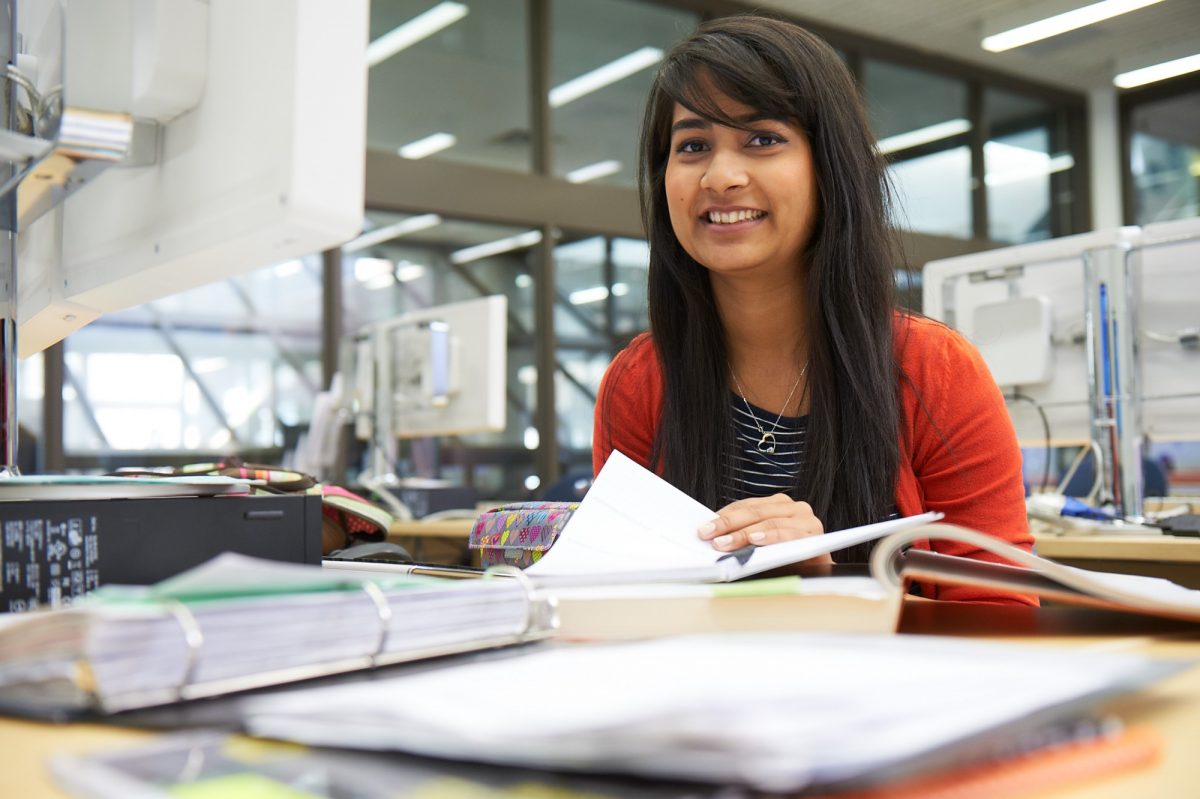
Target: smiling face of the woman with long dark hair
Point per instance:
(741, 200)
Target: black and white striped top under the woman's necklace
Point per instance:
(761, 474)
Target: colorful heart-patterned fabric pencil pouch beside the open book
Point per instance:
(519, 534)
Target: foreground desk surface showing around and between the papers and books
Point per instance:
(1172, 706)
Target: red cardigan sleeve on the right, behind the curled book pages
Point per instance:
(964, 453)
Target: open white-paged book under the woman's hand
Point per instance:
(634, 527)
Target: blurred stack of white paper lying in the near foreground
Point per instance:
(778, 712)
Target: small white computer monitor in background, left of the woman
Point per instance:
(437, 371)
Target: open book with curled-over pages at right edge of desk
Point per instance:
(895, 564)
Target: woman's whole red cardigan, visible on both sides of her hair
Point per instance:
(958, 449)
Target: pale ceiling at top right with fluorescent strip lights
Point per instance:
(1083, 59)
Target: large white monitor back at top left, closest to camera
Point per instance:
(260, 158)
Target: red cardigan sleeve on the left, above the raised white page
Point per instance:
(628, 406)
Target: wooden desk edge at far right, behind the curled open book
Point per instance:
(1174, 557)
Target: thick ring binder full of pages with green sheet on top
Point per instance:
(237, 623)
